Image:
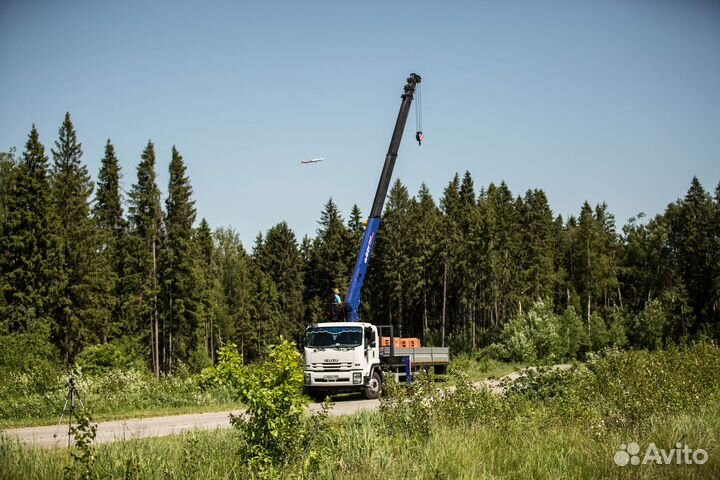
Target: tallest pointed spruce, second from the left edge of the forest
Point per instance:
(80, 311)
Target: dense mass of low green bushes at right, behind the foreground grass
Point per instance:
(625, 388)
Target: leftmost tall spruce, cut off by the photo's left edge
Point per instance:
(28, 276)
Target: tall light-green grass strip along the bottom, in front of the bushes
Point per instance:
(528, 446)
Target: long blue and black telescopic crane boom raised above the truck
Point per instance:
(352, 299)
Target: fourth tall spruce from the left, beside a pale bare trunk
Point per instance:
(143, 252)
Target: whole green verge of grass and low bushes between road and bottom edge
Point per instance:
(549, 424)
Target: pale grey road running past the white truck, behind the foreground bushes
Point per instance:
(174, 424)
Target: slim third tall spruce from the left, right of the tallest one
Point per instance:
(111, 228)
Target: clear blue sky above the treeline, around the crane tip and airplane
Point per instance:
(611, 101)
